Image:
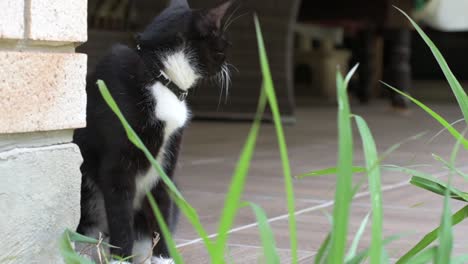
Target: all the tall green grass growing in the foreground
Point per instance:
(333, 248)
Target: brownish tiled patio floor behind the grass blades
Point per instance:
(211, 150)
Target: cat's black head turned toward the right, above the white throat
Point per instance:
(200, 33)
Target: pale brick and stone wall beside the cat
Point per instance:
(42, 99)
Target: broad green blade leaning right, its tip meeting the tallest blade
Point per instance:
(232, 200)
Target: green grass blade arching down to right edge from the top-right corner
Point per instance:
(455, 85)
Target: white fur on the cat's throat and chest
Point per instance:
(169, 109)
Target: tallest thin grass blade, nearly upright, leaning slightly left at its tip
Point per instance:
(270, 92)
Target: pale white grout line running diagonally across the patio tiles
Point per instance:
(313, 208)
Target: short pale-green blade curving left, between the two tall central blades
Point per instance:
(266, 235)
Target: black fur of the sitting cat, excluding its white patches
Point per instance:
(111, 163)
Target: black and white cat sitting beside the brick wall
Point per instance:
(149, 83)
